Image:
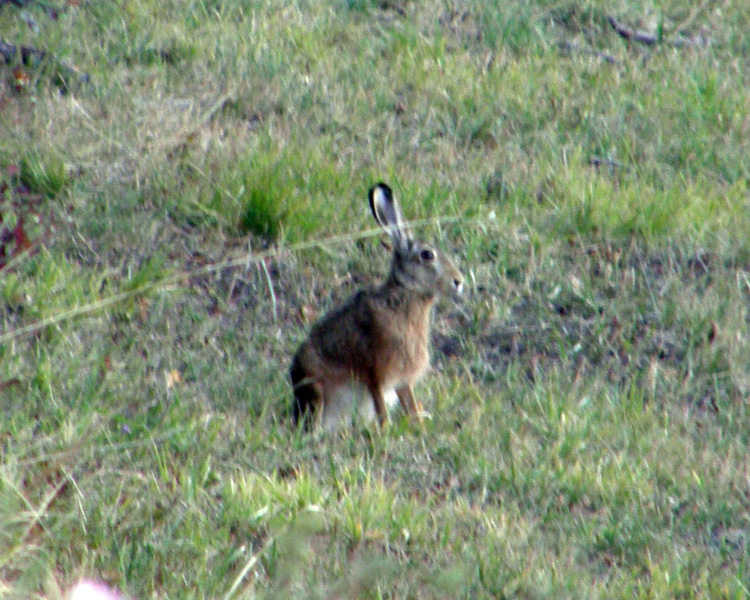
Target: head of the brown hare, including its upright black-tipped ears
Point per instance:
(416, 266)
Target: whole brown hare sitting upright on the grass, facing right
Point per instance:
(366, 354)
